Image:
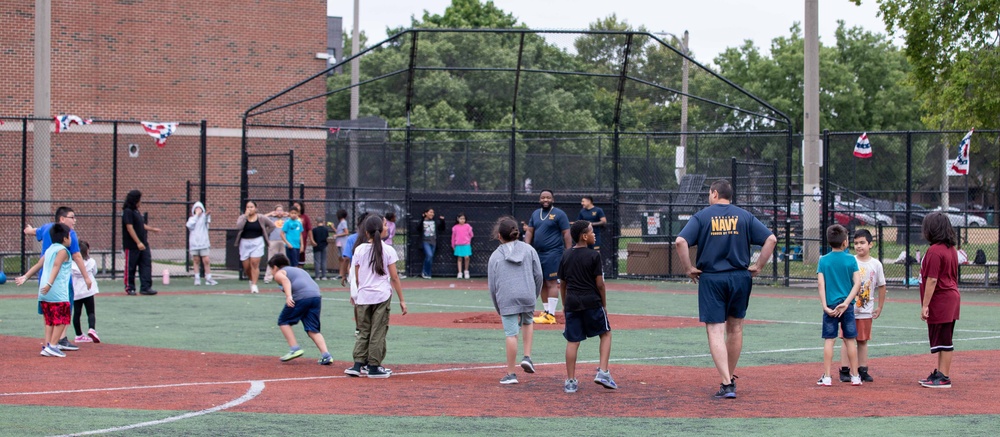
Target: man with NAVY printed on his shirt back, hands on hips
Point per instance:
(724, 234)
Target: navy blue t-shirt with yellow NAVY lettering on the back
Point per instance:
(723, 234)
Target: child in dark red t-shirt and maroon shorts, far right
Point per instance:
(939, 296)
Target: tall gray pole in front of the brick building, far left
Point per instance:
(42, 182)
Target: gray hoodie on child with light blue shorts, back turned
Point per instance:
(515, 278)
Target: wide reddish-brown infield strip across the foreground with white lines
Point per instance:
(158, 379)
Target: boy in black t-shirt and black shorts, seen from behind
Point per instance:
(584, 304)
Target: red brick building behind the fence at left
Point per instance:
(178, 60)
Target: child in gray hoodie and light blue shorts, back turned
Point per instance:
(515, 280)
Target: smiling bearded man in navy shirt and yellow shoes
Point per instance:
(548, 232)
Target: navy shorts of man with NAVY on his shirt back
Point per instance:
(723, 295)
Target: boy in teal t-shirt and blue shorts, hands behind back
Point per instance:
(838, 280)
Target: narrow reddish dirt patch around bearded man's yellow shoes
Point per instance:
(492, 321)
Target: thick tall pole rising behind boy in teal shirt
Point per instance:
(811, 152)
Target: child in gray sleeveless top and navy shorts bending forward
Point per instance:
(302, 303)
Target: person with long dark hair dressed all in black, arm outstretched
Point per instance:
(136, 246)
